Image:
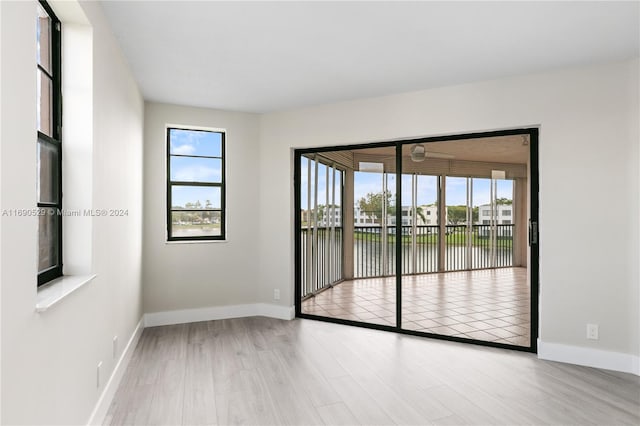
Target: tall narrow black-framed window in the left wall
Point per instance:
(49, 144)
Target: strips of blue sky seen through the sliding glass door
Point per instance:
(427, 187)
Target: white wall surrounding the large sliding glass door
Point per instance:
(588, 120)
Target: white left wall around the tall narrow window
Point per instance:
(49, 359)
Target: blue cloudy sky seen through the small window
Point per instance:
(187, 149)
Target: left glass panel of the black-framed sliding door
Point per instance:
(347, 238)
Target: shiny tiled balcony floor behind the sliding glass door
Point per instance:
(489, 305)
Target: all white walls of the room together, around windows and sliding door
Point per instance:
(588, 154)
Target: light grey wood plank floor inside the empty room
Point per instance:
(264, 371)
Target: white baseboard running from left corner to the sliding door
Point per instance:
(218, 312)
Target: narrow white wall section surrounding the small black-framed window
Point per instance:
(180, 276)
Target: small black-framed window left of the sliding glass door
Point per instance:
(195, 185)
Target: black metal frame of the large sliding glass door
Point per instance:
(534, 237)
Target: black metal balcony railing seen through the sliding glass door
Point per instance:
(372, 258)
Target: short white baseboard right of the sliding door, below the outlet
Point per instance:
(589, 357)
